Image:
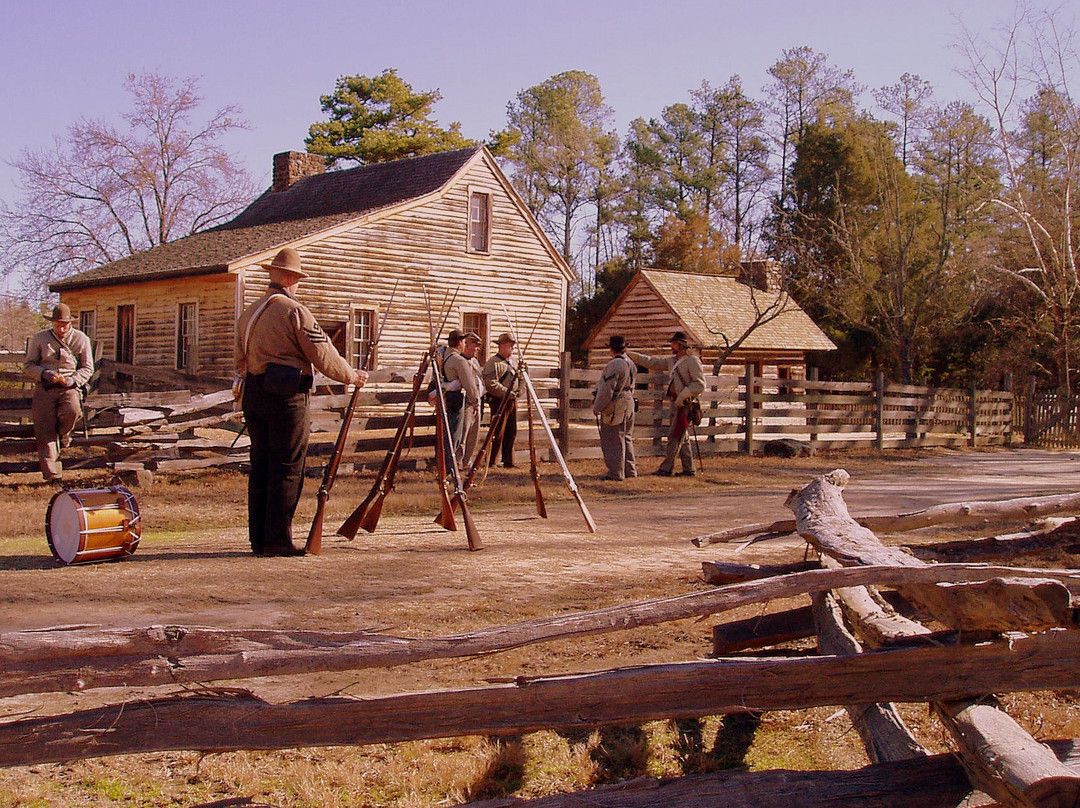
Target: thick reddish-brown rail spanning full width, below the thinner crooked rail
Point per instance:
(213, 722)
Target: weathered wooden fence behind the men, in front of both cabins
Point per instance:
(128, 432)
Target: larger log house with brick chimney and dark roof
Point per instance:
(451, 224)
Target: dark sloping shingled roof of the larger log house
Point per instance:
(309, 206)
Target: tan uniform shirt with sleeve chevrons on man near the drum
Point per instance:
(287, 334)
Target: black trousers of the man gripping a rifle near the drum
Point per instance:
(279, 427)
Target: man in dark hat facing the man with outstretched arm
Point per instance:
(615, 408)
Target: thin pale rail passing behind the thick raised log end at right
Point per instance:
(963, 514)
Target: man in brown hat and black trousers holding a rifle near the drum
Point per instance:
(278, 343)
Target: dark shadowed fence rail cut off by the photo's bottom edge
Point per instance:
(930, 783)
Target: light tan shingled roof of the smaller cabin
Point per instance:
(708, 304)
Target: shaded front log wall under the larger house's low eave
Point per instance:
(157, 306)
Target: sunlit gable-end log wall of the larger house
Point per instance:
(427, 244)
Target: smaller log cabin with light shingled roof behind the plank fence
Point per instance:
(714, 312)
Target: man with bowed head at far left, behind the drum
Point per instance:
(61, 361)
